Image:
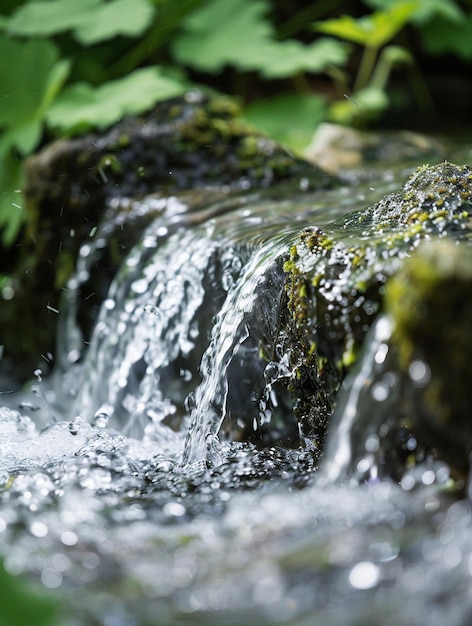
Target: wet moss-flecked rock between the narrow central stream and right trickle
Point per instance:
(336, 281)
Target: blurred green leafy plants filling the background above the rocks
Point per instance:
(67, 67)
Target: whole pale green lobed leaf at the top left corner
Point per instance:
(90, 20)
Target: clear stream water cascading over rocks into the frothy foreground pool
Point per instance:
(126, 492)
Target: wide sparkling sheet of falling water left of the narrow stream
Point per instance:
(146, 324)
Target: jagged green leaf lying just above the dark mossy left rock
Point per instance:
(82, 106)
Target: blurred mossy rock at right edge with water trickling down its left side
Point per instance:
(407, 398)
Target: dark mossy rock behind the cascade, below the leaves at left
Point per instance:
(90, 187)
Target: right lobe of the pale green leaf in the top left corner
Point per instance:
(121, 17)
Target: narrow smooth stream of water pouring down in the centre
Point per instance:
(230, 332)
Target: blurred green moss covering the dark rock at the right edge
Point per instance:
(430, 302)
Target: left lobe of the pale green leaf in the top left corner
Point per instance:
(49, 17)
